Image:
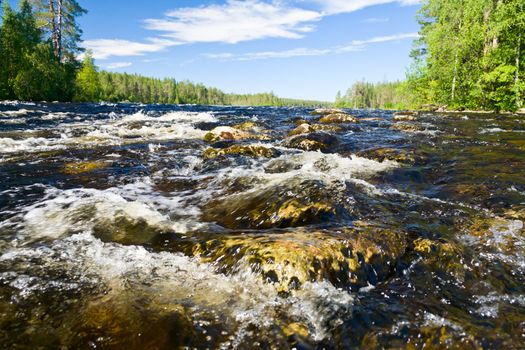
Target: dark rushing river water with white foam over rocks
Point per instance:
(118, 230)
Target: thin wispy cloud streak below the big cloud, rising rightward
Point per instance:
(354, 46)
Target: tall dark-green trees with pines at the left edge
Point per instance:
(38, 46)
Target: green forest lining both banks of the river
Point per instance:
(470, 55)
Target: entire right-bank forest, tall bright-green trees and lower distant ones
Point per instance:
(470, 55)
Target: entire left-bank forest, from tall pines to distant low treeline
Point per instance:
(39, 46)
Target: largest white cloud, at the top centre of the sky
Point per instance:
(235, 21)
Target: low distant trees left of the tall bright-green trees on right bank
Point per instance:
(384, 95)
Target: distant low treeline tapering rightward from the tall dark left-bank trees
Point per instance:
(118, 87)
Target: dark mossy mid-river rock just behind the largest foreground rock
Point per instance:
(275, 207)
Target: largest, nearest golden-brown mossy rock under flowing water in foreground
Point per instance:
(350, 257)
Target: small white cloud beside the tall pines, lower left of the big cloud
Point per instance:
(105, 48)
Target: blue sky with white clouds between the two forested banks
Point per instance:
(307, 49)
